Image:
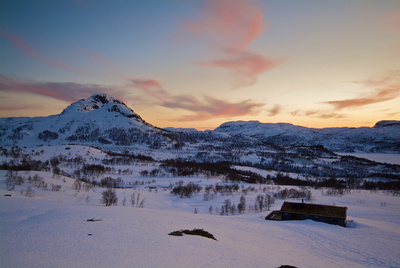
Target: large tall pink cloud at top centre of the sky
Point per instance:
(229, 27)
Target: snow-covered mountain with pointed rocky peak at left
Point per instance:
(98, 119)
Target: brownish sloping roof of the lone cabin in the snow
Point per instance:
(314, 209)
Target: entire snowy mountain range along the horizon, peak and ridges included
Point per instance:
(104, 121)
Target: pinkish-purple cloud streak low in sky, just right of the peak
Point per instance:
(204, 109)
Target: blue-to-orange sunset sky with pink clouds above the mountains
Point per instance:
(198, 64)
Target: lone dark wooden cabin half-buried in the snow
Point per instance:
(302, 211)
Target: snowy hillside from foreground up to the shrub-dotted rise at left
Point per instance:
(44, 218)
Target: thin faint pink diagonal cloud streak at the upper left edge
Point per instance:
(28, 51)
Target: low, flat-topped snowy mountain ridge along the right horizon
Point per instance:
(383, 137)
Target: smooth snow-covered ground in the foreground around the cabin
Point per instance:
(51, 229)
